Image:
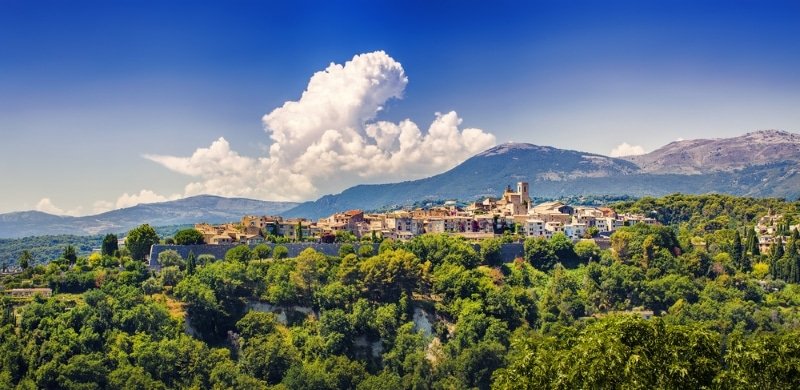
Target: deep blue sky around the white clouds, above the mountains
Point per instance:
(88, 88)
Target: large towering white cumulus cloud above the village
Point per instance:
(329, 140)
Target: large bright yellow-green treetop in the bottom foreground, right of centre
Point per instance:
(616, 352)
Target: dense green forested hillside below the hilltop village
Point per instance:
(690, 304)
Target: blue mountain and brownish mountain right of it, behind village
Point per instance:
(762, 163)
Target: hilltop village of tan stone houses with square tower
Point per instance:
(513, 213)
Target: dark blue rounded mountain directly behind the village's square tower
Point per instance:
(485, 174)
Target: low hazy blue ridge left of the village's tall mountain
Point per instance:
(203, 208)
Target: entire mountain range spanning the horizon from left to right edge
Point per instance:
(762, 164)
